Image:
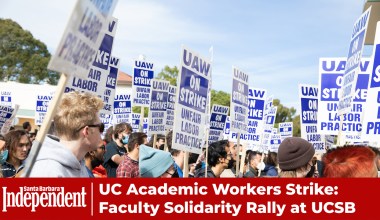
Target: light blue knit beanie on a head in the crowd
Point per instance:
(153, 162)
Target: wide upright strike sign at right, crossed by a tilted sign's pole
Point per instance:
(330, 80)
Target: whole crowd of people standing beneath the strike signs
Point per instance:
(74, 148)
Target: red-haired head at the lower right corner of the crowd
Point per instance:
(350, 161)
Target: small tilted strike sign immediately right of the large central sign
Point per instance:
(218, 119)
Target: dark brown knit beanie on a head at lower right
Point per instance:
(294, 152)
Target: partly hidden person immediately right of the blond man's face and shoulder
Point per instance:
(94, 159)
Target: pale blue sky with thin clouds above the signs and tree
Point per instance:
(277, 43)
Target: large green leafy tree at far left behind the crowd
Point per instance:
(22, 57)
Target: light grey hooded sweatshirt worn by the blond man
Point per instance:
(55, 160)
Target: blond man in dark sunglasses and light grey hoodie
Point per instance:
(78, 128)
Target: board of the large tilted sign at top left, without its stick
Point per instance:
(80, 42)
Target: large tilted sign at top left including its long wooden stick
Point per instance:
(76, 52)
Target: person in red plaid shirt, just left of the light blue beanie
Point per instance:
(129, 167)
